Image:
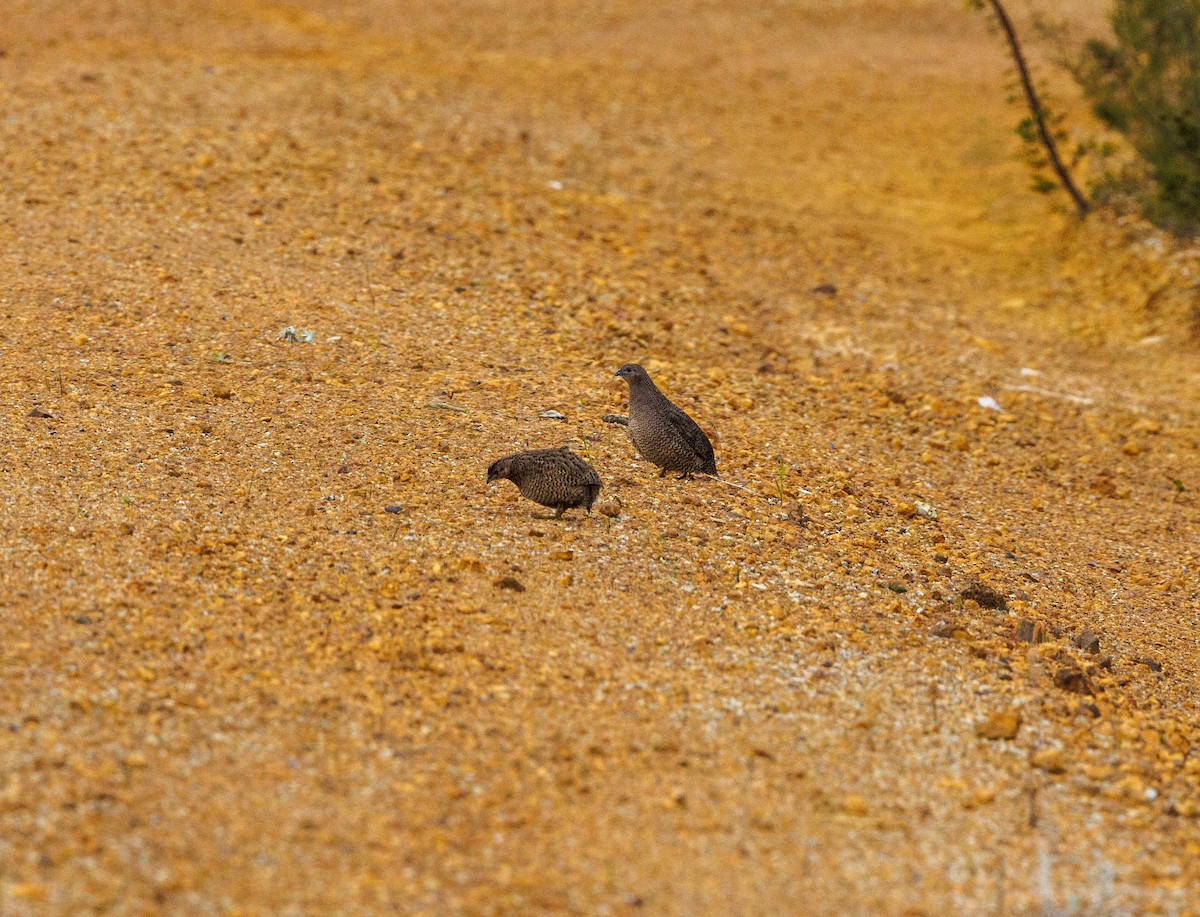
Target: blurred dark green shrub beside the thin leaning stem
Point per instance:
(1147, 86)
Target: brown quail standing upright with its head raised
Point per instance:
(662, 431)
